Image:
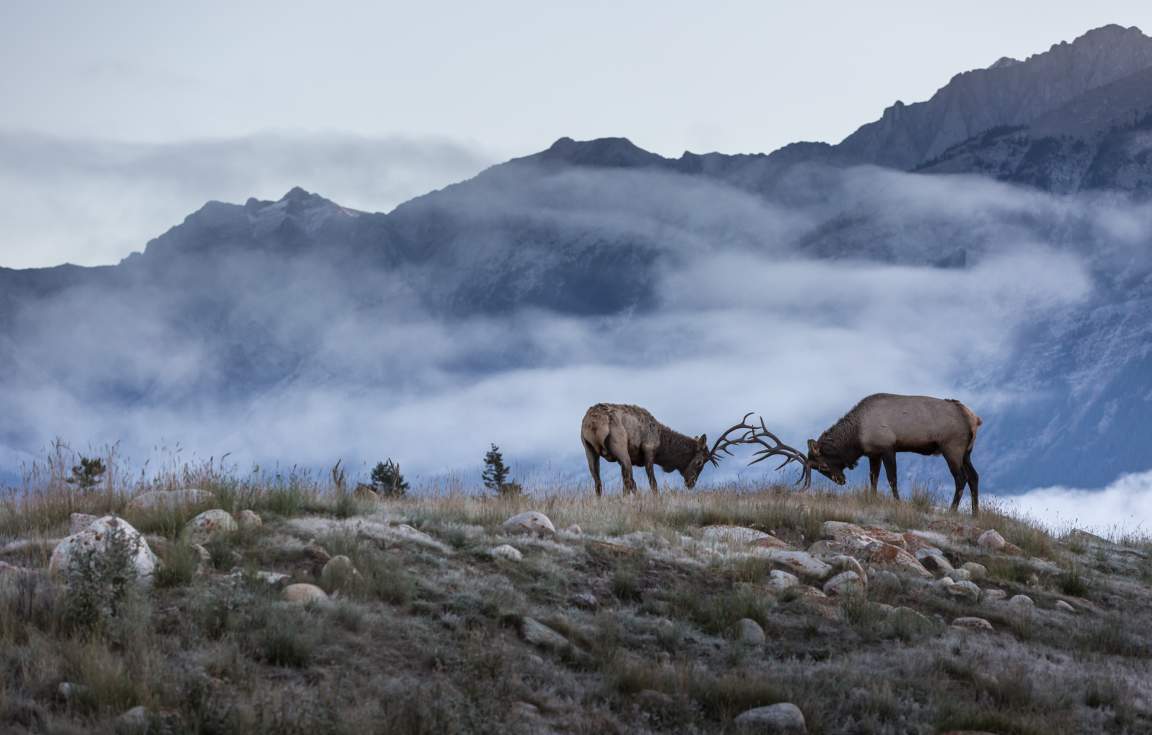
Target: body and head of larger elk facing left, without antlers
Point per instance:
(884, 425)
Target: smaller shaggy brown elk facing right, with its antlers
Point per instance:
(632, 436)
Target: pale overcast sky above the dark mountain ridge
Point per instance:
(458, 85)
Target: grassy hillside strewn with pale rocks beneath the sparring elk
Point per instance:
(234, 609)
